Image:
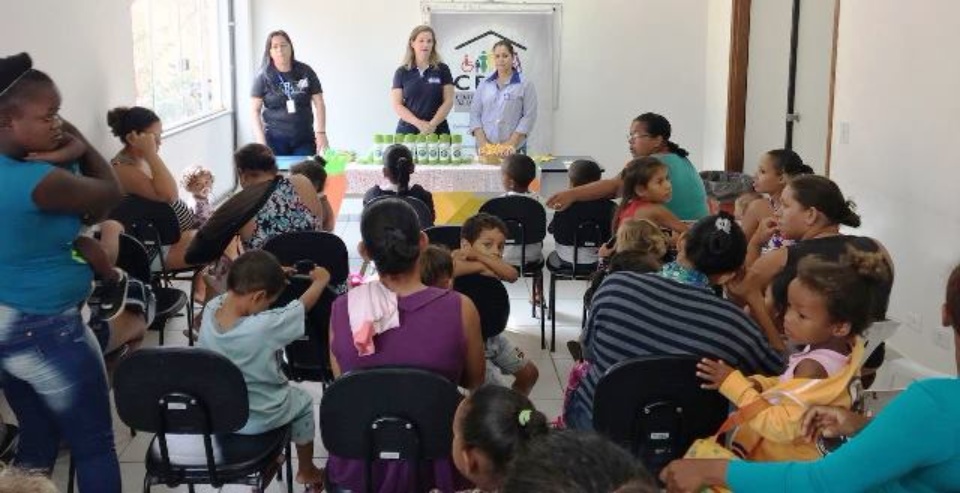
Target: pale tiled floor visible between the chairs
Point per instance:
(522, 329)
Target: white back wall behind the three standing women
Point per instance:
(620, 58)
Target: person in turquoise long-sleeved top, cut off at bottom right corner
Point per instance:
(912, 445)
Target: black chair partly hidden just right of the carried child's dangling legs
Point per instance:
(134, 259)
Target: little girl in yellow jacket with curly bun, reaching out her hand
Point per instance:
(828, 305)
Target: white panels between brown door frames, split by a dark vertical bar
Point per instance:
(768, 77)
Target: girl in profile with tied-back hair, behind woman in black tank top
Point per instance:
(776, 168)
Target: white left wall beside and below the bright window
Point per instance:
(86, 47)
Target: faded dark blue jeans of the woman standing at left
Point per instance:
(53, 375)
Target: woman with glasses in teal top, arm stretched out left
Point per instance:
(649, 136)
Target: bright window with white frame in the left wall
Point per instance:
(177, 57)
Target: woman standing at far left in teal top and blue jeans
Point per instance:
(50, 362)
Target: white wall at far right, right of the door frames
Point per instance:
(899, 100)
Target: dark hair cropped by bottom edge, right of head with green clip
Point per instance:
(572, 461)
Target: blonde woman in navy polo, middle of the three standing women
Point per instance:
(422, 92)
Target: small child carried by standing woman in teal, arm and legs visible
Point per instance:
(110, 290)
